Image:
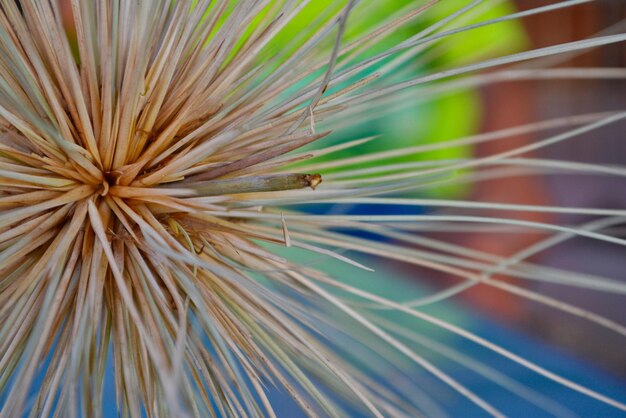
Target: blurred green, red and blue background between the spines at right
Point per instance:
(565, 344)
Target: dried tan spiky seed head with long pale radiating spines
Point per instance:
(145, 177)
